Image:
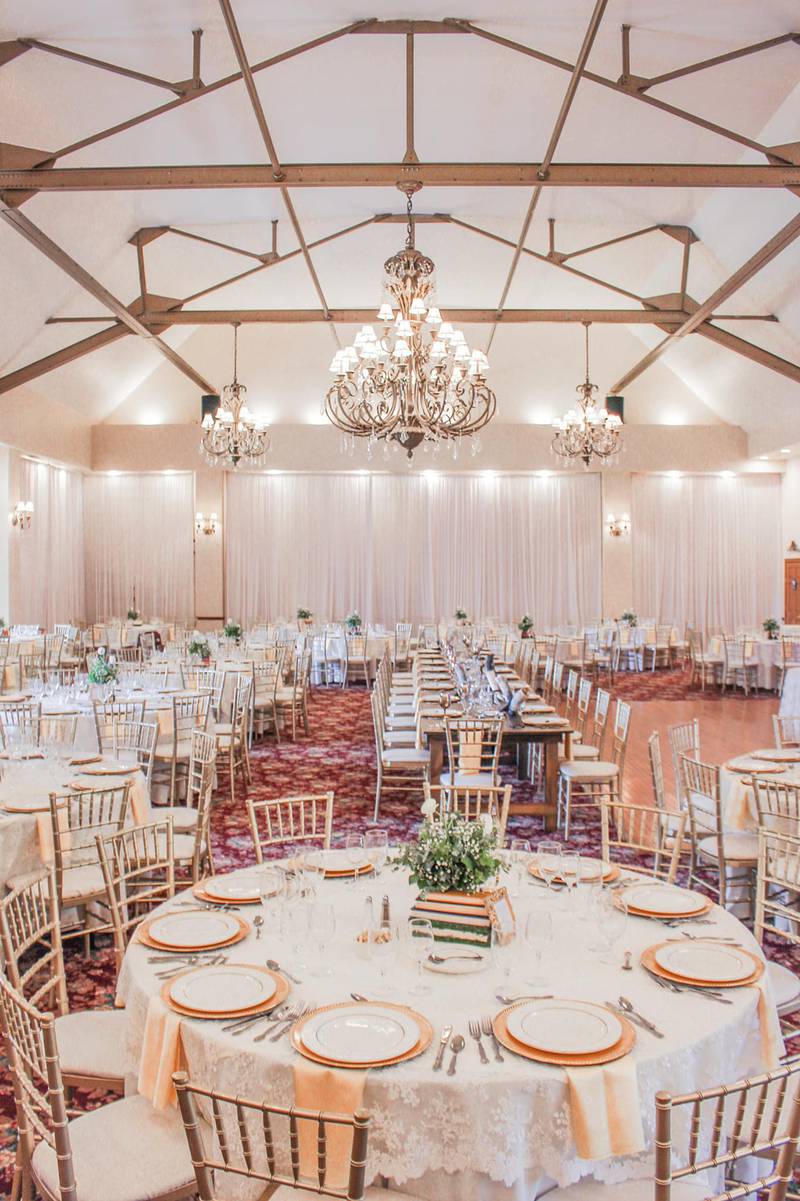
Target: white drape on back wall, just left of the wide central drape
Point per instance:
(140, 535)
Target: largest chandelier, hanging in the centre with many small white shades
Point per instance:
(417, 381)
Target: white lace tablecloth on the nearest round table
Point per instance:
(500, 1131)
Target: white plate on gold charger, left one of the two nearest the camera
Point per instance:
(361, 1033)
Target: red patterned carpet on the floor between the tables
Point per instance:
(339, 755)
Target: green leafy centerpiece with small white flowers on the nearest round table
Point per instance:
(452, 856)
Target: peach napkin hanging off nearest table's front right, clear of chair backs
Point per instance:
(606, 1110)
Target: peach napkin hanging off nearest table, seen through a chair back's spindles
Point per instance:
(332, 1091)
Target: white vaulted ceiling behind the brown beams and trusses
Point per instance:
(345, 103)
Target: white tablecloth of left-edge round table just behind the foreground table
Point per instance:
(27, 839)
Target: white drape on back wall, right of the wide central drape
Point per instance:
(707, 549)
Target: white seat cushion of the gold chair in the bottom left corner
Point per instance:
(126, 1151)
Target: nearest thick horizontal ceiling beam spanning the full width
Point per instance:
(390, 175)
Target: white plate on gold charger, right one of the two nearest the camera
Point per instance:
(565, 1027)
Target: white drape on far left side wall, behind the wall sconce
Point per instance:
(51, 585)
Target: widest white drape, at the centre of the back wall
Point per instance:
(414, 548)
